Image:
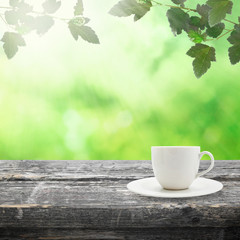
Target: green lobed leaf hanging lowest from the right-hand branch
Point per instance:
(203, 55)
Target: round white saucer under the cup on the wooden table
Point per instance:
(151, 188)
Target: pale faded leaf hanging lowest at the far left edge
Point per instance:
(12, 41)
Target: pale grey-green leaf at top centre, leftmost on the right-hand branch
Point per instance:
(125, 8)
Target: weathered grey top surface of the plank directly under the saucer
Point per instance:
(101, 193)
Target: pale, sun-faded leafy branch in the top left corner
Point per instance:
(21, 19)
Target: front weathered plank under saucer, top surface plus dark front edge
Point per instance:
(109, 204)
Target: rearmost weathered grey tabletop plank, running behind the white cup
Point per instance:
(28, 170)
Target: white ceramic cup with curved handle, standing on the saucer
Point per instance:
(176, 167)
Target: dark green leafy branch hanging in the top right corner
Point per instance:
(205, 24)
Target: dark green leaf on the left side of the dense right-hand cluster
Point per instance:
(178, 19)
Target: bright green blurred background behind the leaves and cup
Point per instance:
(62, 99)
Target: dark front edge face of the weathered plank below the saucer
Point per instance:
(112, 218)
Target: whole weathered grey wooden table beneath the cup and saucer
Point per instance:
(89, 200)
